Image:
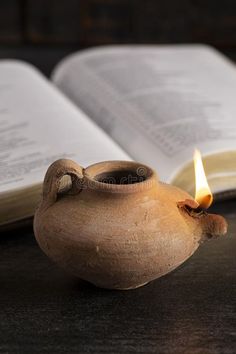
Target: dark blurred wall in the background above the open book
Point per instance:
(62, 26)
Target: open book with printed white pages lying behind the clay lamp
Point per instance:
(153, 104)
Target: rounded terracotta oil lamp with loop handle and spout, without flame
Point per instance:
(117, 226)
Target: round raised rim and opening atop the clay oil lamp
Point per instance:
(133, 176)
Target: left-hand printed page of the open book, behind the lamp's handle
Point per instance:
(38, 125)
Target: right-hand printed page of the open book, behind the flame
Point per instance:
(157, 102)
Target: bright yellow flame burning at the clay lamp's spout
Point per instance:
(203, 193)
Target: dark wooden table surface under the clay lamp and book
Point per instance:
(44, 310)
